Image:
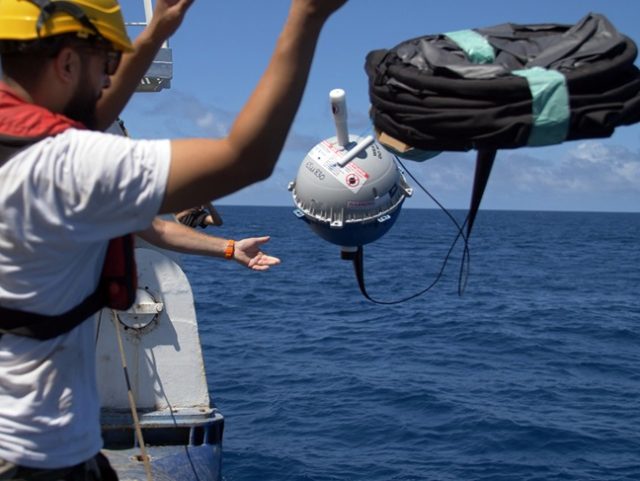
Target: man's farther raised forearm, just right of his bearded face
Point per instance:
(167, 17)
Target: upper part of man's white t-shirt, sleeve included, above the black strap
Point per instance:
(62, 199)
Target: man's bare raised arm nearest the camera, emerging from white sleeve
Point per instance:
(203, 170)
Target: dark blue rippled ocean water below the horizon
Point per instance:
(532, 374)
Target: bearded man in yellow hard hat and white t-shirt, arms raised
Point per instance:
(69, 189)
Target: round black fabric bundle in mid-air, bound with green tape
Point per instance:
(427, 94)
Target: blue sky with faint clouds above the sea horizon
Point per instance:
(222, 48)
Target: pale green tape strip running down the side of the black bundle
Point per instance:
(550, 105)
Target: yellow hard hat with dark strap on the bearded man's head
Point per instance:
(24, 20)
